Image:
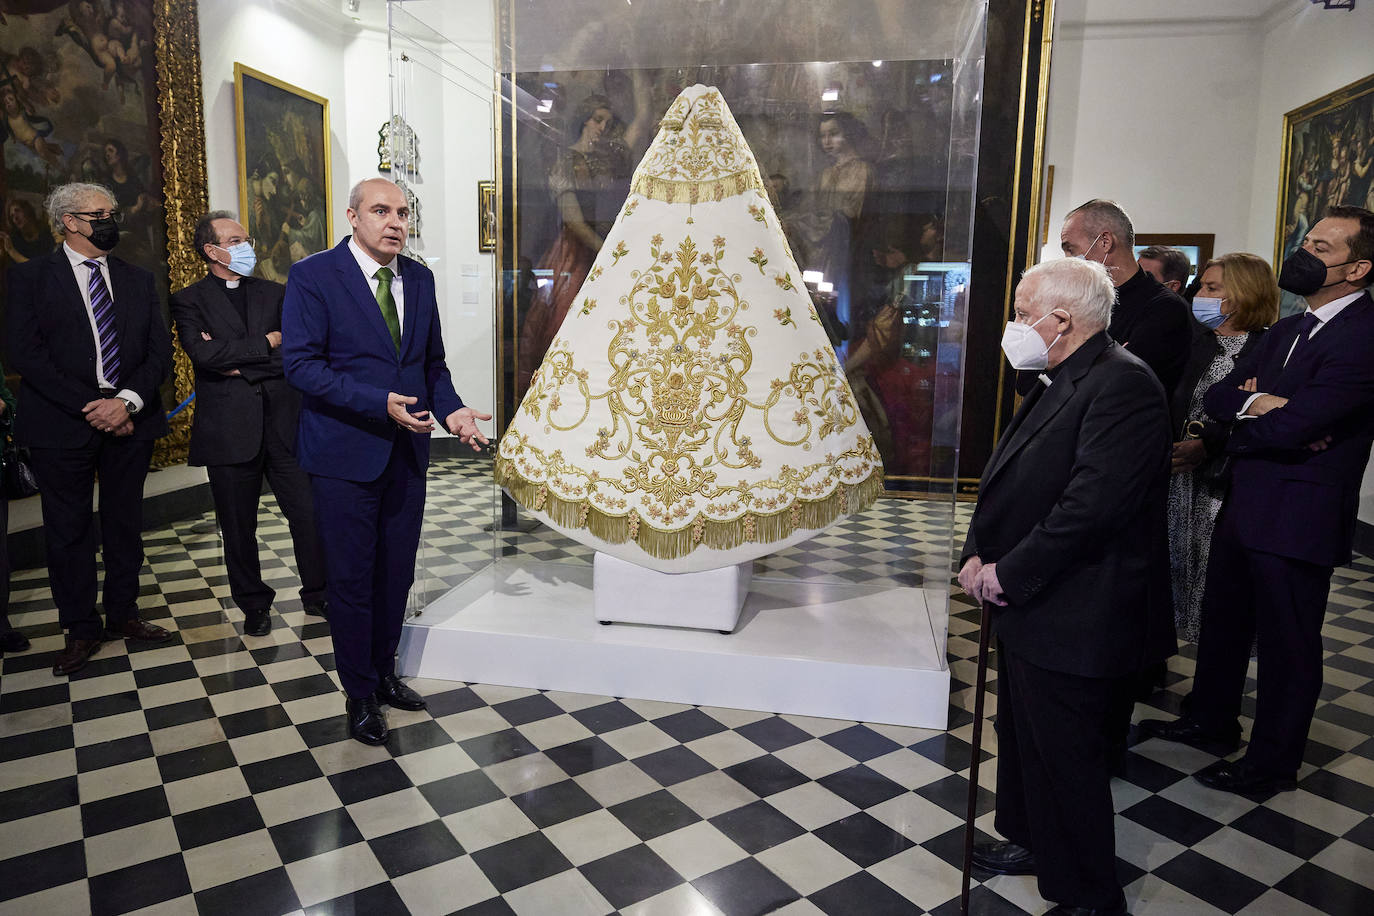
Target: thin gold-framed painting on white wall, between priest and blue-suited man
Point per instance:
(284, 146)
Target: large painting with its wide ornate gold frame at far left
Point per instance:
(111, 94)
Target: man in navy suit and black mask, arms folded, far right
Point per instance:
(1303, 410)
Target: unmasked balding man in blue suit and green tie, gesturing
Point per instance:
(361, 340)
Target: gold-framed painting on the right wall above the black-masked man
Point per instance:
(1328, 161)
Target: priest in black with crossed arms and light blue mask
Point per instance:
(245, 415)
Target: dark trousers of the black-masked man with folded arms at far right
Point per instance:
(1283, 602)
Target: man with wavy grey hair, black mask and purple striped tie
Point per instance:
(87, 336)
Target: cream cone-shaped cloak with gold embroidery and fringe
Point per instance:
(692, 414)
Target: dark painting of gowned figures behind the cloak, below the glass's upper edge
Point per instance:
(855, 159)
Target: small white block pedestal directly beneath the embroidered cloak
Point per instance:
(710, 601)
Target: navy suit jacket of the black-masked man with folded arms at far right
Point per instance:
(1288, 499)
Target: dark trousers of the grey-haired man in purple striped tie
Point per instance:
(67, 480)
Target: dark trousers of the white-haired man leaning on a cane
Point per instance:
(1055, 793)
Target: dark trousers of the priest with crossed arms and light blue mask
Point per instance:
(237, 490)
